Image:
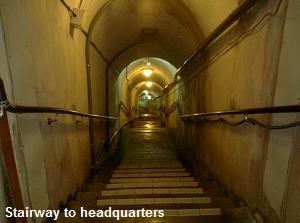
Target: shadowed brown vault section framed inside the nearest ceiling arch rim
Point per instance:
(160, 23)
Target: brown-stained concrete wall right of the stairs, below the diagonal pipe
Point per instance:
(245, 75)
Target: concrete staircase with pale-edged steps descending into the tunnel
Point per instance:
(150, 180)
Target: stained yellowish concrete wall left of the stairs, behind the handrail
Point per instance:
(46, 67)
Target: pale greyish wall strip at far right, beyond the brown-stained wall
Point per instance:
(282, 148)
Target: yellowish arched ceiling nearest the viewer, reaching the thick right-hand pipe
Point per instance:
(169, 29)
